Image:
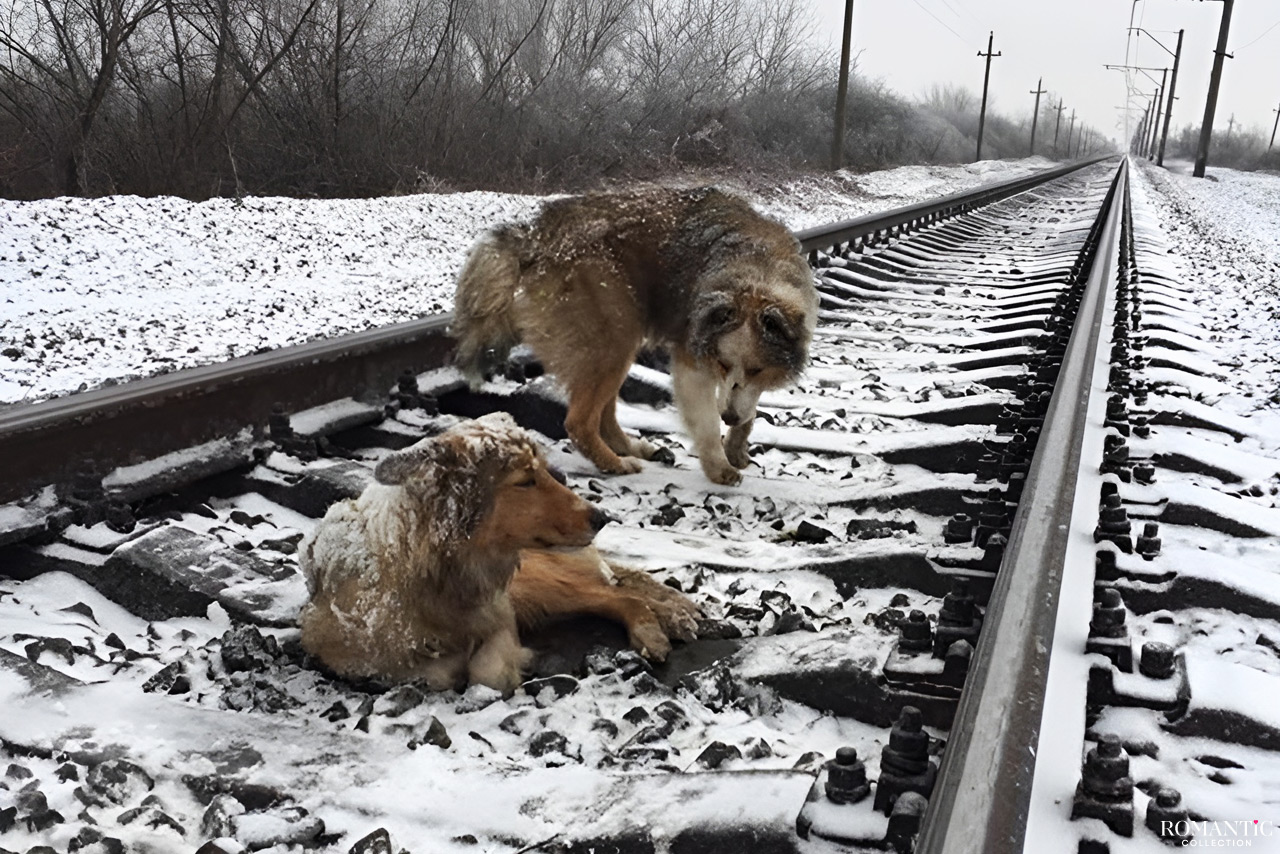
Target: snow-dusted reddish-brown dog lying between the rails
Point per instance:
(426, 577)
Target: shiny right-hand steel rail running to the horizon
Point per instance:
(982, 797)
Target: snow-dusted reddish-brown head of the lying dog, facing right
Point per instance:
(486, 483)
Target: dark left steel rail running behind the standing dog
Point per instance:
(51, 441)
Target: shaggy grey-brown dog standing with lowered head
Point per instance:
(596, 277)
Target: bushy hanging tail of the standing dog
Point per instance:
(483, 305)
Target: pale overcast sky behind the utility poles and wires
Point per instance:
(913, 44)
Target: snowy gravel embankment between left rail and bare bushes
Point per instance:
(95, 291)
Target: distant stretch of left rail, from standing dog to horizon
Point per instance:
(913, 217)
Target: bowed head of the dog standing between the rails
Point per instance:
(753, 325)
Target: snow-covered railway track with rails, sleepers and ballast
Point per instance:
(958, 605)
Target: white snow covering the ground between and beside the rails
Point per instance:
(102, 291)
